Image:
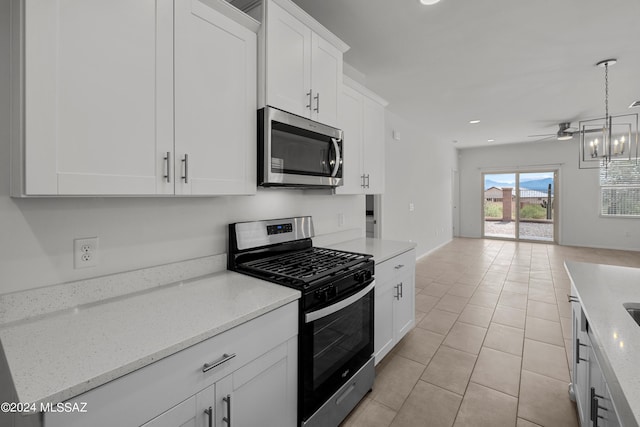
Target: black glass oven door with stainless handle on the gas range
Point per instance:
(336, 341)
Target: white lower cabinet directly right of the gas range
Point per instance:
(394, 302)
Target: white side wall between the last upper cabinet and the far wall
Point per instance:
(418, 171)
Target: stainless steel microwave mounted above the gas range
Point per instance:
(294, 151)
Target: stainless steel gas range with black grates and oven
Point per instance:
(335, 347)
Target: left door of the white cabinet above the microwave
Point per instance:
(288, 62)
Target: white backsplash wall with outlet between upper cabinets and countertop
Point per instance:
(37, 235)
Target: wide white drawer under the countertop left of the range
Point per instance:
(141, 395)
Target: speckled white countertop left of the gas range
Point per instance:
(61, 355)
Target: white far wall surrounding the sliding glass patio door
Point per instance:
(577, 191)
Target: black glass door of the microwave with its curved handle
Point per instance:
(298, 151)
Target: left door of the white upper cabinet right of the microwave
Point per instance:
(350, 121)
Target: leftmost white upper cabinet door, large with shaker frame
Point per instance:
(98, 96)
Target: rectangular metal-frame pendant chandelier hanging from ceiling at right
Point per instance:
(609, 138)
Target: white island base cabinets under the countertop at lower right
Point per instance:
(589, 386)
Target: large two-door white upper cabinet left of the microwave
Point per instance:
(95, 98)
